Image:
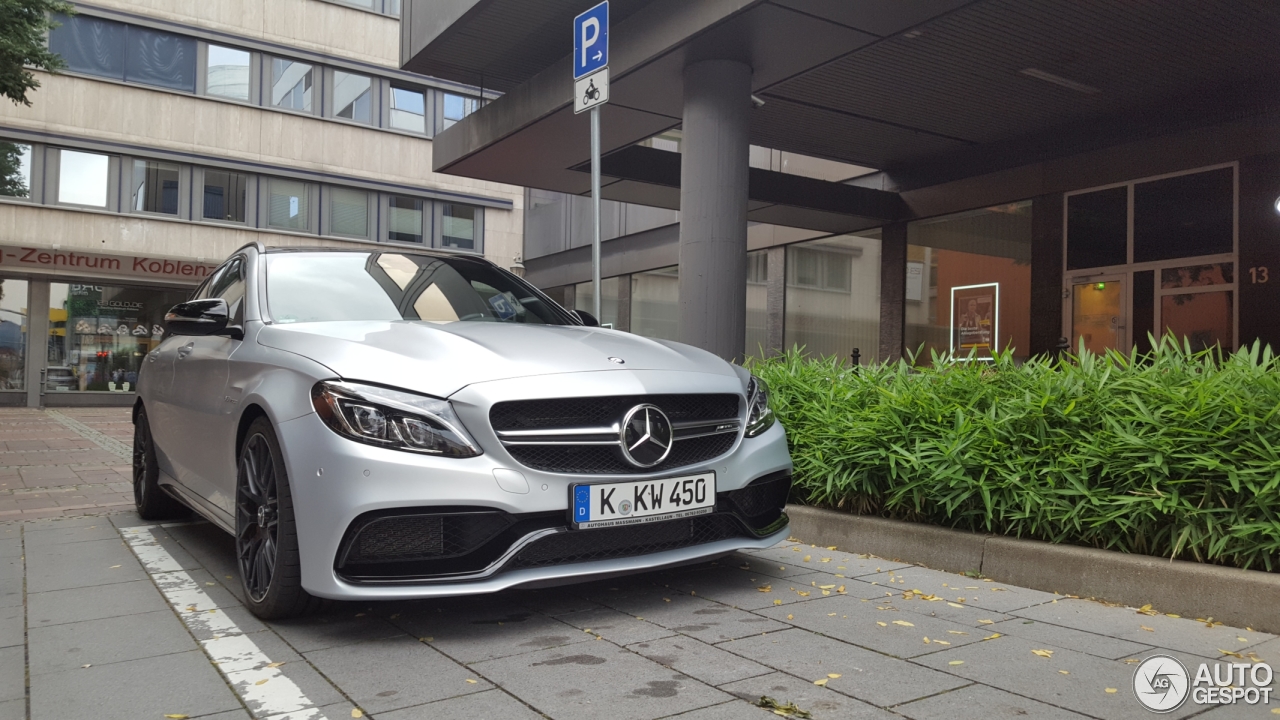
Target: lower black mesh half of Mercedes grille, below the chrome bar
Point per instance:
(607, 461)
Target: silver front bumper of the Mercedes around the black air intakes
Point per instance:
(336, 484)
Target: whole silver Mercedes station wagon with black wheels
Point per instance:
(378, 425)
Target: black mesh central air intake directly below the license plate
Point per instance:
(607, 544)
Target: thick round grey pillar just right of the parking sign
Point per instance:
(714, 190)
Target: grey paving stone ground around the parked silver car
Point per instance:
(90, 631)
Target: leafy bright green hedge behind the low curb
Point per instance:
(1176, 454)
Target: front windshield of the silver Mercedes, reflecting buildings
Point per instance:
(316, 288)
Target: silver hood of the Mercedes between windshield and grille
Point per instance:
(442, 359)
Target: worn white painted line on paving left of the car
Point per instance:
(268, 692)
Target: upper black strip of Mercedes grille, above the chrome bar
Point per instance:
(604, 412)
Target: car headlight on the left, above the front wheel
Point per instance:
(392, 418)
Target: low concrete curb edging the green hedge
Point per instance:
(1245, 599)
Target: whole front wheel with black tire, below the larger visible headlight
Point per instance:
(267, 537)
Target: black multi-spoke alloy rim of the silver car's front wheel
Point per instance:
(258, 512)
